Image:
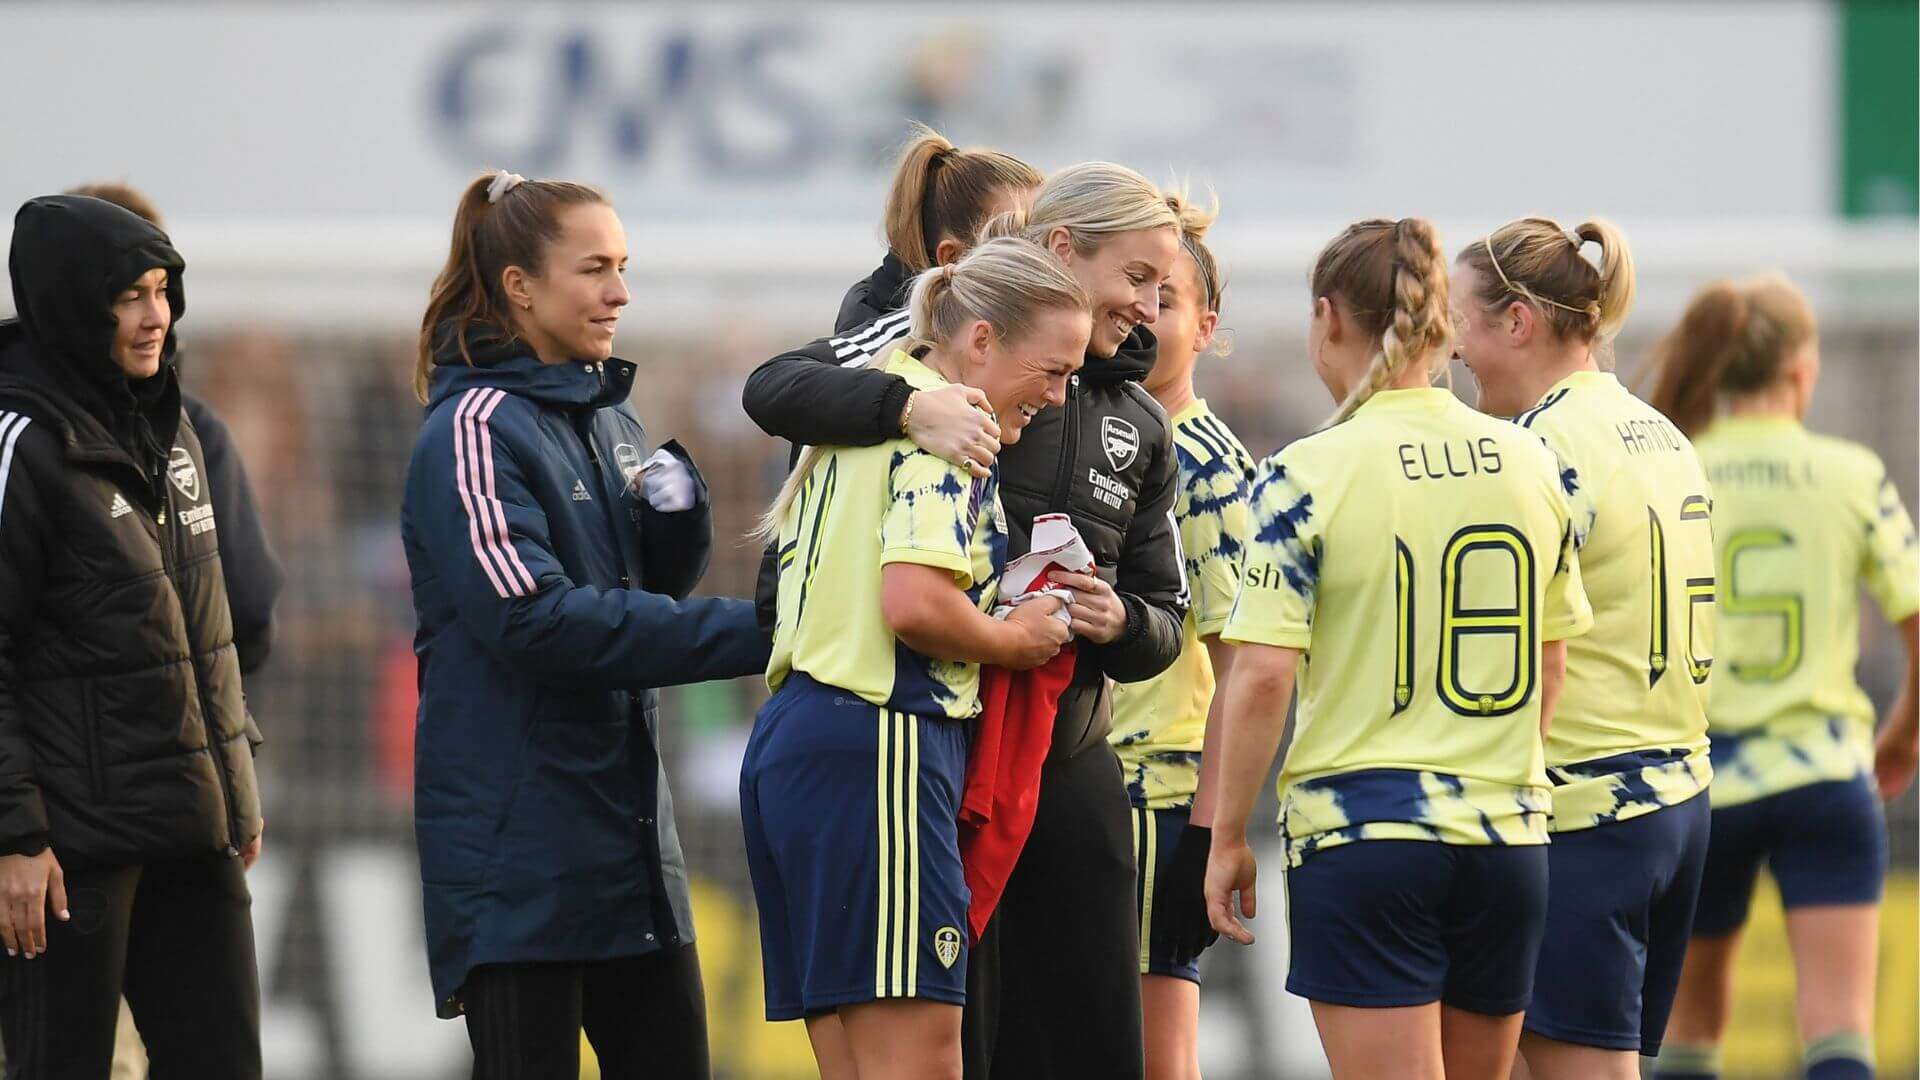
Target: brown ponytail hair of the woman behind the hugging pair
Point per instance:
(942, 191)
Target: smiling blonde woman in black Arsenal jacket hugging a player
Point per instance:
(1055, 989)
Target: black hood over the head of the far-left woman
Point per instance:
(72, 257)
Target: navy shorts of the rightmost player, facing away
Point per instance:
(1823, 843)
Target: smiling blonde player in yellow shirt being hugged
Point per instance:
(852, 781)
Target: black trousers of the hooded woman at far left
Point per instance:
(178, 941)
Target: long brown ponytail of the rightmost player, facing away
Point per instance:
(1733, 339)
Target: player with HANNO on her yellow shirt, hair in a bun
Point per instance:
(1629, 743)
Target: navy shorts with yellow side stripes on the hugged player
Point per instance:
(852, 818)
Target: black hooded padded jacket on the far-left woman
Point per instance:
(124, 733)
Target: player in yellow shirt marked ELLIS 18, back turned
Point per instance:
(1416, 566)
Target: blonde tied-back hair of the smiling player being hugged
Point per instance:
(1007, 283)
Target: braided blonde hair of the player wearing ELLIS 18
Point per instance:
(1393, 280)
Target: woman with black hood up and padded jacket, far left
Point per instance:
(128, 798)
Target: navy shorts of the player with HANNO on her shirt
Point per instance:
(1620, 916)
